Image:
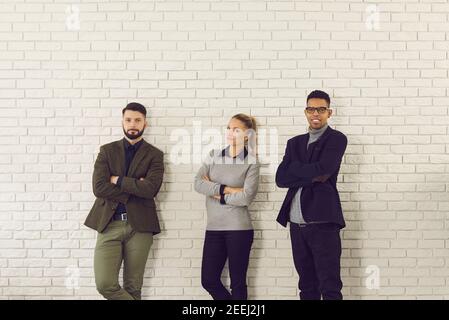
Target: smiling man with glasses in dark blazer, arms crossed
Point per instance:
(309, 170)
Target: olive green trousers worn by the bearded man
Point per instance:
(119, 243)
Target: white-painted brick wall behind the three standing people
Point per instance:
(61, 94)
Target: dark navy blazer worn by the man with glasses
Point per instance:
(319, 200)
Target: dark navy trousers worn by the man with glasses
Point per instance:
(316, 254)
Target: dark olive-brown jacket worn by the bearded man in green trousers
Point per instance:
(137, 195)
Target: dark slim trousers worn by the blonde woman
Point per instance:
(218, 247)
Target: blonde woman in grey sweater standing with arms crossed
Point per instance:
(229, 178)
